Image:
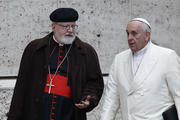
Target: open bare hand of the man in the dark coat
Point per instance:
(84, 104)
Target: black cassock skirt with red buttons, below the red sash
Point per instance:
(63, 107)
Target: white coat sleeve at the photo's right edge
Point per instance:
(173, 79)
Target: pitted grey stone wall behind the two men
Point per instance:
(102, 23)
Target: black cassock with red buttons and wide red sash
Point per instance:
(57, 101)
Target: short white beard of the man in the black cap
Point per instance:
(65, 39)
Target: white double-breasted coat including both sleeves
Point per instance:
(155, 87)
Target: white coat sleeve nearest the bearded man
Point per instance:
(111, 97)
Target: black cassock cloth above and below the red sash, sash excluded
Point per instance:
(58, 107)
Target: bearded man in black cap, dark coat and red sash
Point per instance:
(59, 76)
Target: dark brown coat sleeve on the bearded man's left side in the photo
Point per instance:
(17, 102)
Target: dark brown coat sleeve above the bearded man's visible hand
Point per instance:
(95, 85)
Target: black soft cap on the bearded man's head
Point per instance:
(64, 15)
